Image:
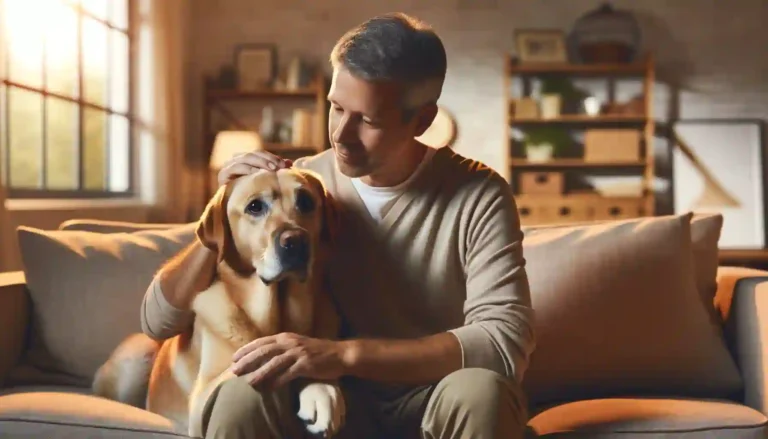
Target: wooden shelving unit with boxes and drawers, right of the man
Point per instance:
(617, 143)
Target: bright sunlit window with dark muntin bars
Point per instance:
(65, 98)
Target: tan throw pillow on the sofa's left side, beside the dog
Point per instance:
(86, 291)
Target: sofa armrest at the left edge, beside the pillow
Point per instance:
(14, 319)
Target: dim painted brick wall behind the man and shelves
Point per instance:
(719, 61)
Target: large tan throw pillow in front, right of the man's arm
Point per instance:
(618, 313)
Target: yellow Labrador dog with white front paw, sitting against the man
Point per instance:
(272, 232)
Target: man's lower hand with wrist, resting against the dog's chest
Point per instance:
(276, 360)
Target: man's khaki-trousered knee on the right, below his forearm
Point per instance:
(476, 399)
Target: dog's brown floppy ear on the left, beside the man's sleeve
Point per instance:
(214, 231)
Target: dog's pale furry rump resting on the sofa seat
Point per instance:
(124, 377)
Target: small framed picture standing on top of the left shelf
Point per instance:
(255, 65)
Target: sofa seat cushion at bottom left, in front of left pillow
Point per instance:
(65, 412)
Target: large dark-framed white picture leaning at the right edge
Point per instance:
(718, 166)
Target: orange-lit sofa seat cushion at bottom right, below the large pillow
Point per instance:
(650, 417)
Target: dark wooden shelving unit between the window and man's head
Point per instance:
(313, 96)
